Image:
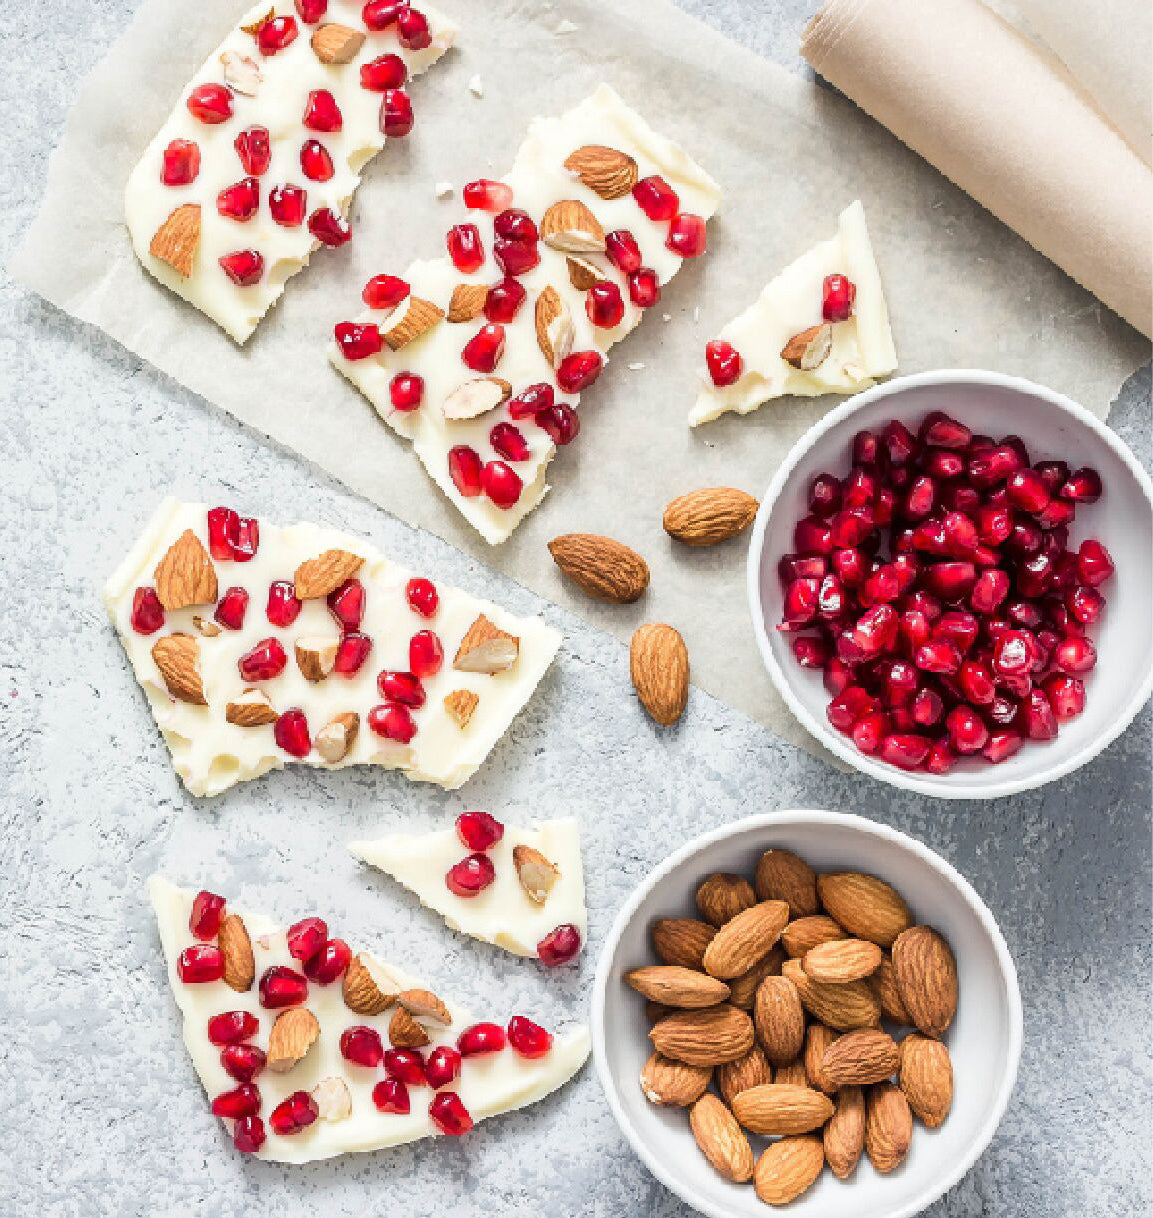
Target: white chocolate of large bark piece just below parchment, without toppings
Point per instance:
(212, 753)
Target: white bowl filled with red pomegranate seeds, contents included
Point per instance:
(950, 582)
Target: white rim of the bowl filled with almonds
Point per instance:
(779, 820)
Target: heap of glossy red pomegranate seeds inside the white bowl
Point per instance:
(937, 589)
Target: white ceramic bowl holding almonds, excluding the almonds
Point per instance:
(984, 1041)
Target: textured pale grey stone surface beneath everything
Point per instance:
(104, 1114)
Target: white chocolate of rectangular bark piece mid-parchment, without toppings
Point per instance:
(539, 180)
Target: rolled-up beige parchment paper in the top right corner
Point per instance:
(1008, 125)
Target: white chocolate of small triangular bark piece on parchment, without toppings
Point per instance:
(863, 347)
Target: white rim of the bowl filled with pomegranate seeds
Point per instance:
(945, 786)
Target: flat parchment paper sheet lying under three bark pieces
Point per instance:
(962, 289)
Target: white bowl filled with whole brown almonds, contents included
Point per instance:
(810, 1010)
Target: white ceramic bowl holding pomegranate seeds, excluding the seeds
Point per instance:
(1053, 427)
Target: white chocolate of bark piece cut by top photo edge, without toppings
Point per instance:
(268, 91)
